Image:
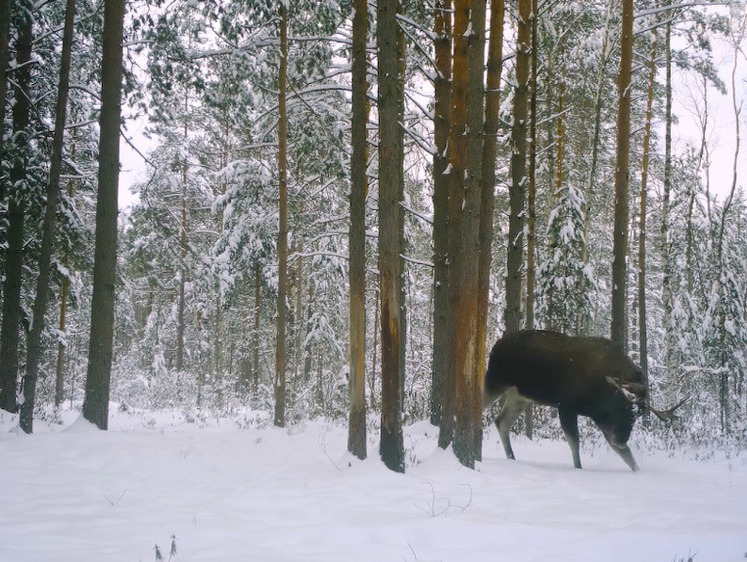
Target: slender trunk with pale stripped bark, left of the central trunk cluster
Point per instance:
(357, 262)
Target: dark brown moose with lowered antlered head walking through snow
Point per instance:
(580, 376)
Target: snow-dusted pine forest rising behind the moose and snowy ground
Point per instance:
(235, 268)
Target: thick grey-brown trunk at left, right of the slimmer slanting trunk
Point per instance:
(96, 401)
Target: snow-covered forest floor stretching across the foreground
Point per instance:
(219, 492)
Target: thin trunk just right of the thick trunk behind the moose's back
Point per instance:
(642, 309)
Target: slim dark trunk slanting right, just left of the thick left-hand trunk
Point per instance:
(48, 228)
